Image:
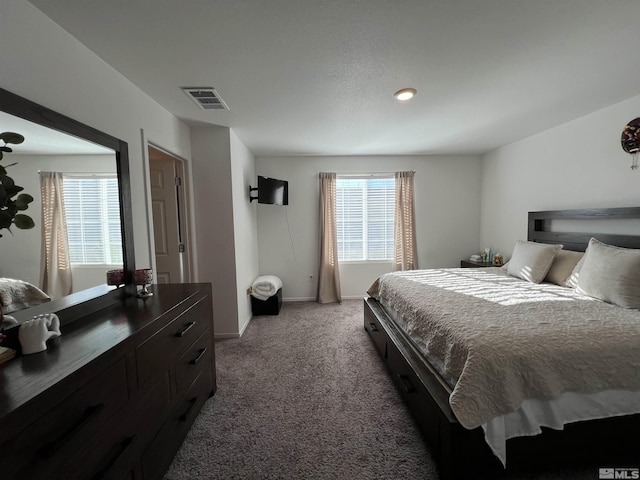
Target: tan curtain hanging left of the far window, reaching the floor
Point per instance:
(329, 274)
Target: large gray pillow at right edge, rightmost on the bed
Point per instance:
(611, 274)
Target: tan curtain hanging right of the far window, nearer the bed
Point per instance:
(406, 255)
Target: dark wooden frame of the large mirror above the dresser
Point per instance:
(28, 110)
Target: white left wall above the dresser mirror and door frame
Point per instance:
(48, 66)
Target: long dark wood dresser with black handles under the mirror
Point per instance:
(115, 395)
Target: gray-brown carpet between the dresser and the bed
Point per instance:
(304, 395)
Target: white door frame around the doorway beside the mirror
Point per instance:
(190, 272)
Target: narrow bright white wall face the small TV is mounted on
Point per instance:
(245, 225)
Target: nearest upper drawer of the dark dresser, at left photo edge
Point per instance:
(66, 427)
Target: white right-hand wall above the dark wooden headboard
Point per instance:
(576, 165)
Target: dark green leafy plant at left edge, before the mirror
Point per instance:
(12, 202)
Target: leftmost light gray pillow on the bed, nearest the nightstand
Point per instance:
(531, 261)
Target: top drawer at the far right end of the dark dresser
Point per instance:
(165, 347)
